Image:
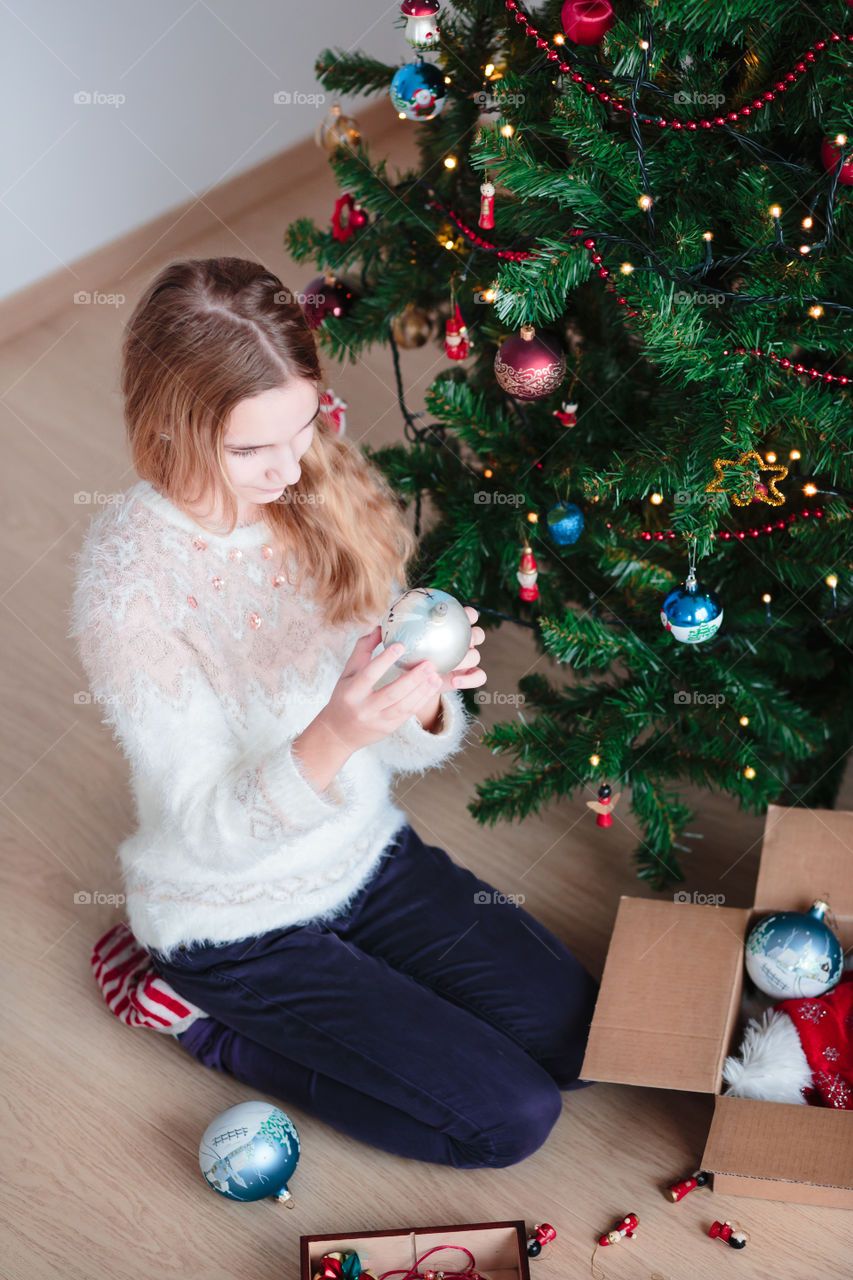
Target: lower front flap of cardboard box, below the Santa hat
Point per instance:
(781, 1142)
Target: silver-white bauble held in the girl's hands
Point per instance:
(432, 625)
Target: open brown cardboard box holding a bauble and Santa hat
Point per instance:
(668, 1014)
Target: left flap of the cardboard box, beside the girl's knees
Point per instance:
(669, 996)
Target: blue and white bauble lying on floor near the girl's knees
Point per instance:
(250, 1151)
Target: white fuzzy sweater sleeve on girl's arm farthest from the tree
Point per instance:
(193, 775)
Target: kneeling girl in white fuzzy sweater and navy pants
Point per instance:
(227, 614)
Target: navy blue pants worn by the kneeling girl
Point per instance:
(431, 1020)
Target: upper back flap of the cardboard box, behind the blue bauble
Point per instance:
(806, 854)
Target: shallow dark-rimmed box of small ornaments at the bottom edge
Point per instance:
(500, 1250)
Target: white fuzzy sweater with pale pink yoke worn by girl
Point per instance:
(208, 665)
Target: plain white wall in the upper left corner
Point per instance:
(198, 79)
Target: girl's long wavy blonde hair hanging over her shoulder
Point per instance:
(206, 335)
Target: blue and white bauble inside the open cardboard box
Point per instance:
(793, 954)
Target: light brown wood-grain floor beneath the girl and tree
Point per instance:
(102, 1123)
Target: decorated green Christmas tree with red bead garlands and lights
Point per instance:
(633, 226)
